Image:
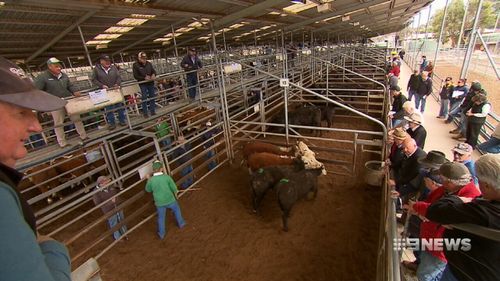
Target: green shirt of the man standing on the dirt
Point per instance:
(163, 188)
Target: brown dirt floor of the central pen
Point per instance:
(333, 237)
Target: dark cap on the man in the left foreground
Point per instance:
(18, 89)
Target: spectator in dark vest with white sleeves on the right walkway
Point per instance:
(476, 117)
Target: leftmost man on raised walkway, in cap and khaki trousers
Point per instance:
(57, 83)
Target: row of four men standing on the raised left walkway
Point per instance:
(106, 75)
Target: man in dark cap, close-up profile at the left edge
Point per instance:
(25, 254)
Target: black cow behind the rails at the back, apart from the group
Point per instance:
(304, 116)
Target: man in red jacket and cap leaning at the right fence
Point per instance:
(455, 180)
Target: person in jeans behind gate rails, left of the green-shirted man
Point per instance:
(103, 193)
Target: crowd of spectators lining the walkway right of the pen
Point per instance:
(433, 192)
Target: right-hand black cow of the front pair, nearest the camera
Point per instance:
(295, 187)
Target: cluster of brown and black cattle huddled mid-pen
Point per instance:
(291, 171)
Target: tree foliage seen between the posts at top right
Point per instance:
(455, 16)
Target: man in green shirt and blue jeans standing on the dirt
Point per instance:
(165, 196)
